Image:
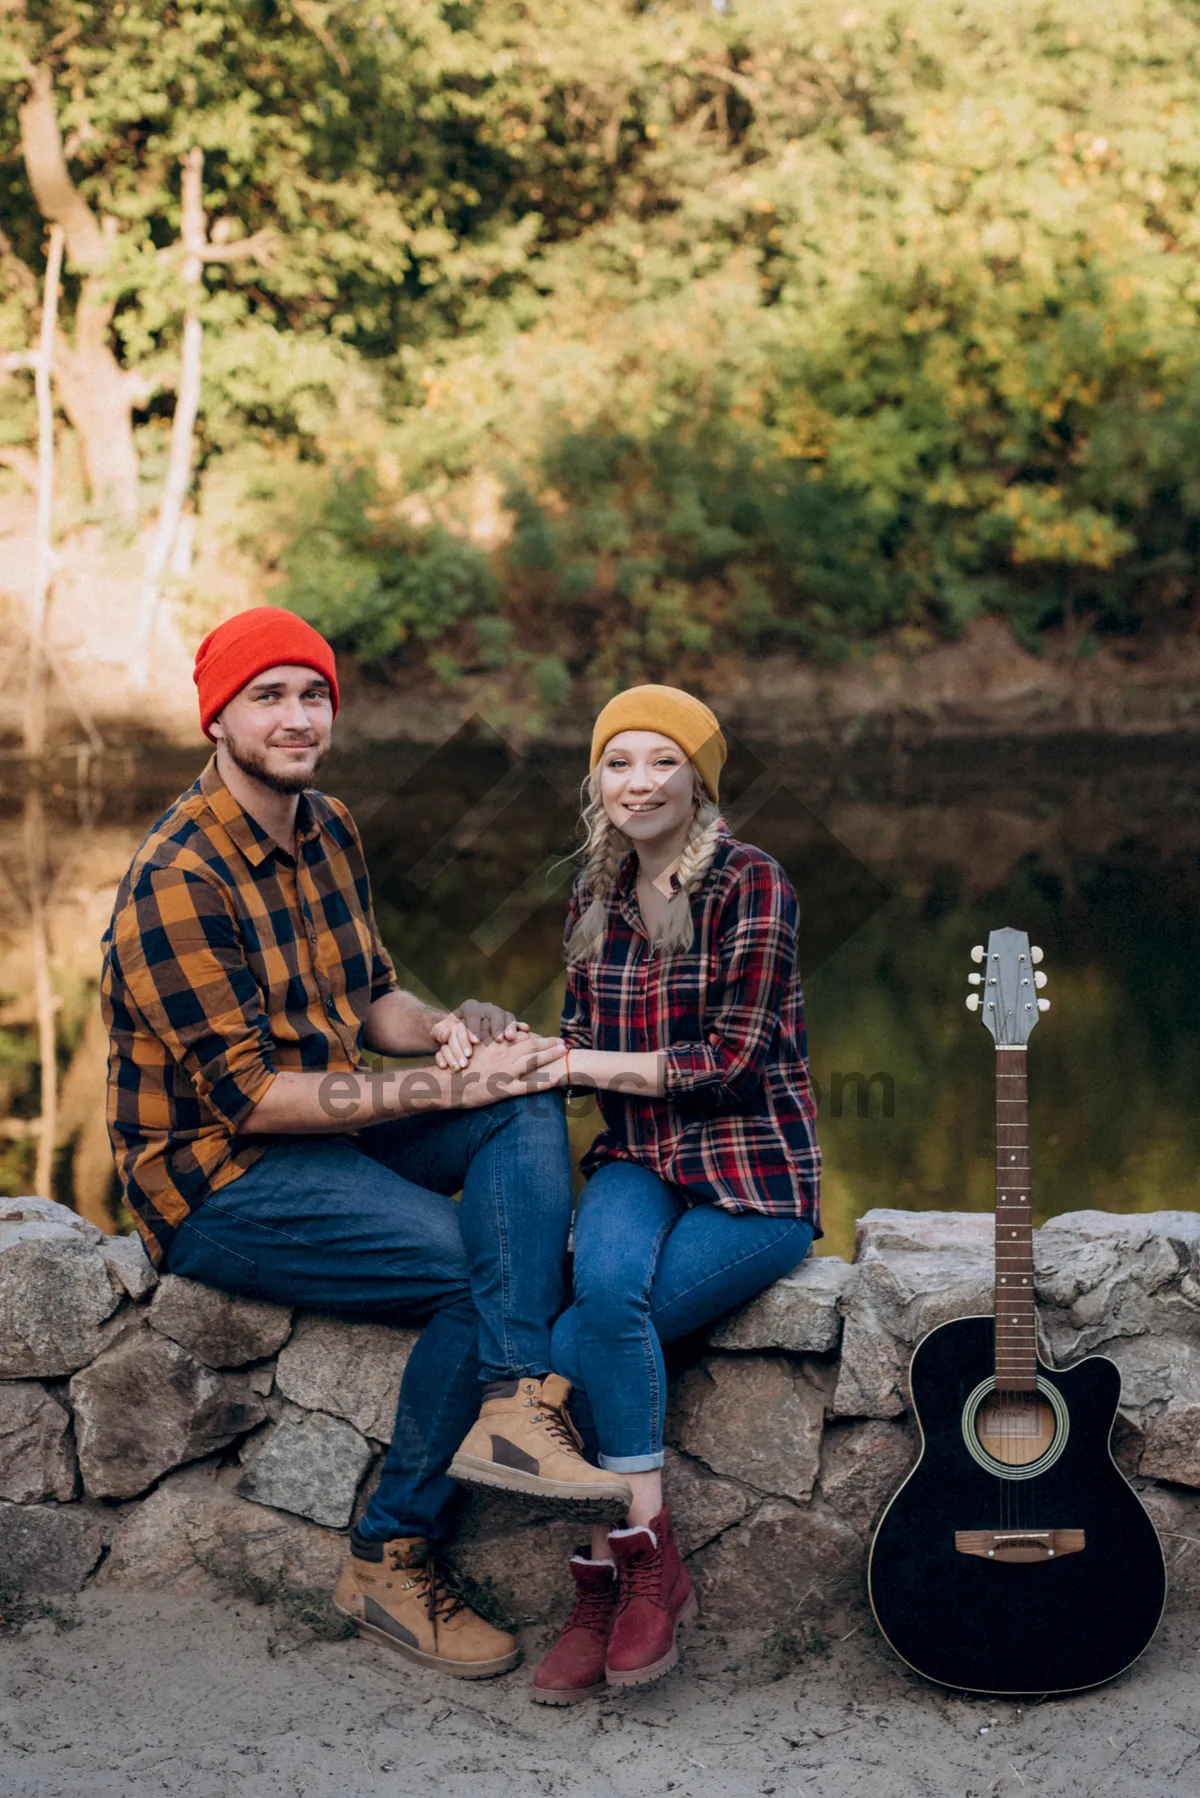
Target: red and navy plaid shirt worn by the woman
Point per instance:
(737, 1126)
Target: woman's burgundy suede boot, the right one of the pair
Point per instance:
(656, 1599)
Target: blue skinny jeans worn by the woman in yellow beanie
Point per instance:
(652, 1268)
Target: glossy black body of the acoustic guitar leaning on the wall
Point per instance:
(1014, 1626)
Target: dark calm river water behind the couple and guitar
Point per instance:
(902, 860)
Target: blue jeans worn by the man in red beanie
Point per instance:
(368, 1227)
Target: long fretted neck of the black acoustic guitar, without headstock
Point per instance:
(1017, 1328)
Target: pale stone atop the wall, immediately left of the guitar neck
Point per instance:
(900, 1295)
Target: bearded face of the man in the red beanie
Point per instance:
(278, 729)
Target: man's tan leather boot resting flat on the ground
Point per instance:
(397, 1594)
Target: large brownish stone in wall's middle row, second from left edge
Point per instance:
(147, 1407)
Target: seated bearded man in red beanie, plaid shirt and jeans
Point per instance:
(244, 979)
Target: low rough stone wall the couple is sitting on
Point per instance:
(159, 1436)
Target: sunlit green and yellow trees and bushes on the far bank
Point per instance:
(775, 326)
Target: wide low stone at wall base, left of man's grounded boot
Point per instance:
(197, 1538)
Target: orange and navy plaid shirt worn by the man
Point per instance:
(226, 961)
